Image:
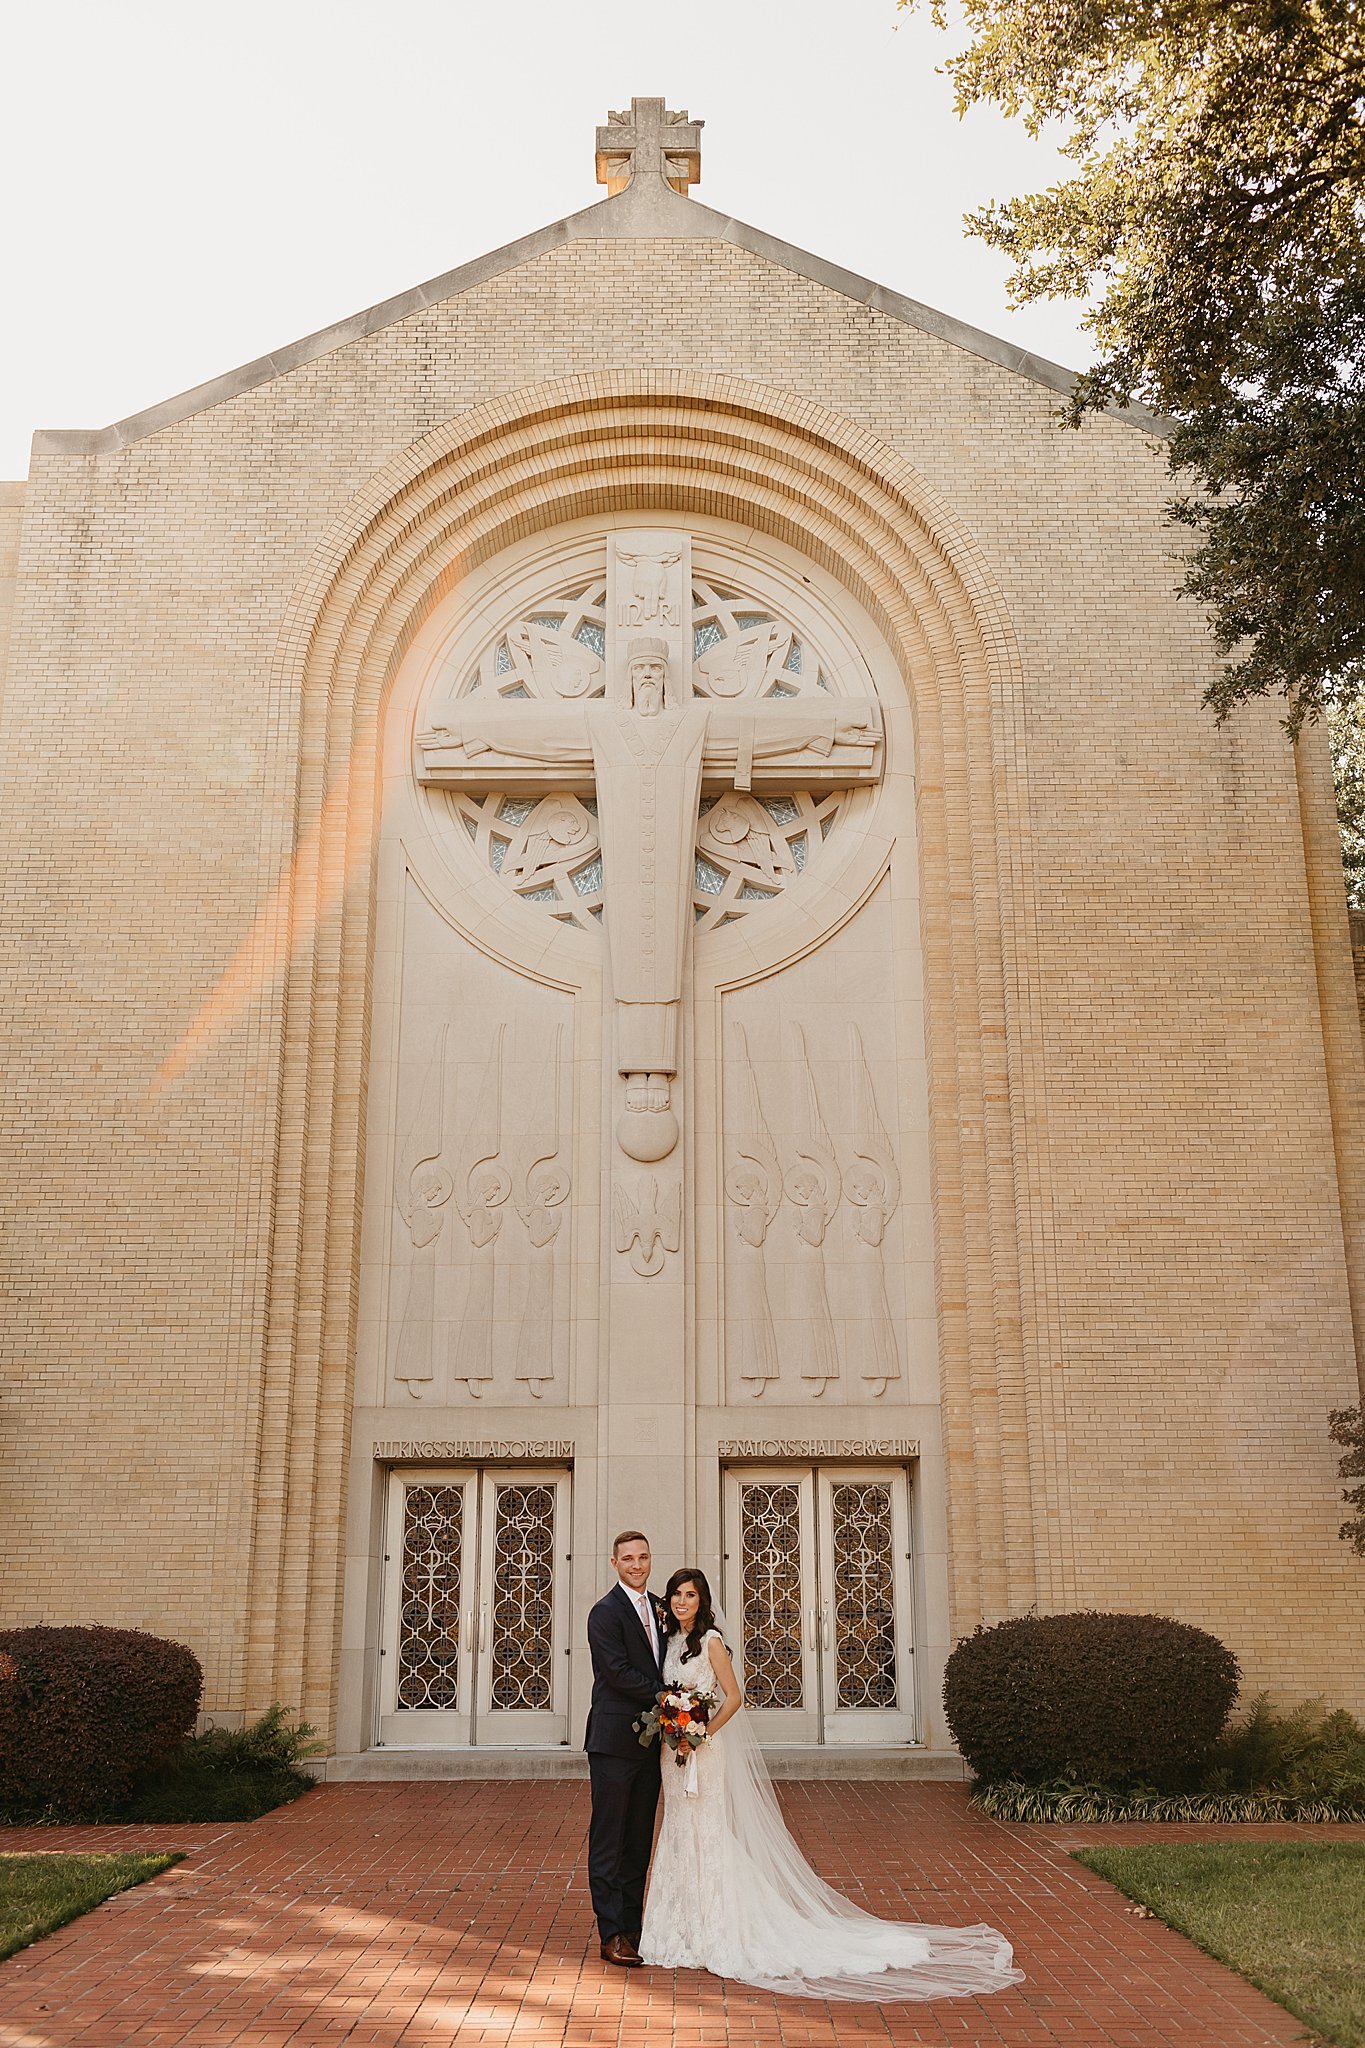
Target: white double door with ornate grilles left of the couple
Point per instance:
(476, 1609)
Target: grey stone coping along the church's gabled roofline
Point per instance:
(648, 208)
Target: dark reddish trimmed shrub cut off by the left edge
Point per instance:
(85, 1713)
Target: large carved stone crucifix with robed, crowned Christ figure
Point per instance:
(650, 749)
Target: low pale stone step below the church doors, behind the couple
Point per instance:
(406, 1766)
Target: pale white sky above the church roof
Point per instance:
(195, 185)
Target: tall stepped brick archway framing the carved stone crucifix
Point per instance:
(617, 445)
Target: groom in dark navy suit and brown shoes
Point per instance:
(625, 1633)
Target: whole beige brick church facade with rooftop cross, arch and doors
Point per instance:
(621, 914)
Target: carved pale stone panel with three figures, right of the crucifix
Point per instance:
(826, 1242)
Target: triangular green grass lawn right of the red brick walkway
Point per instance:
(1290, 1916)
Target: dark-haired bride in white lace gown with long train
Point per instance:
(730, 1891)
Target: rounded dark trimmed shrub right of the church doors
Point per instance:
(1090, 1699)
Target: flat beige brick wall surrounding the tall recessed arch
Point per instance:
(1180, 1308)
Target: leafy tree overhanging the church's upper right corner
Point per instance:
(1217, 220)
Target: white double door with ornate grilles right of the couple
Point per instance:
(820, 1586)
